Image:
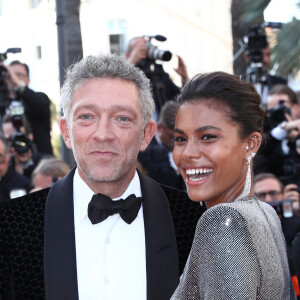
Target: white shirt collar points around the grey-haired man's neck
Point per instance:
(83, 195)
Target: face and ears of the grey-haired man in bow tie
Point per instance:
(105, 130)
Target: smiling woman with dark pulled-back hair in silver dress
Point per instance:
(239, 249)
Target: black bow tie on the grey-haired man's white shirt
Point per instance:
(101, 207)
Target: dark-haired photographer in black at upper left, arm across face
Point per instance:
(36, 104)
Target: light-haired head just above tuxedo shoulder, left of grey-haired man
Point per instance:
(47, 172)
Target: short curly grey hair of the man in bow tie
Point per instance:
(106, 66)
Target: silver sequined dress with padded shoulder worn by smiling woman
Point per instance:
(238, 253)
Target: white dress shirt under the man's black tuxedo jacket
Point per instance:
(111, 255)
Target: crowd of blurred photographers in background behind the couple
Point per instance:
(27, 163)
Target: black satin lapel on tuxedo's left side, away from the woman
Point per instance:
(60, 252)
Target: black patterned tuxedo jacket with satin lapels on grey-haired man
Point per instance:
(37, 241)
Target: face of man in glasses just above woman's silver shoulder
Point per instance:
(268, 190)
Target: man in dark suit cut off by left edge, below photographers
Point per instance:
(12, 184)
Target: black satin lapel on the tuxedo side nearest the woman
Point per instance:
(161, 248)
